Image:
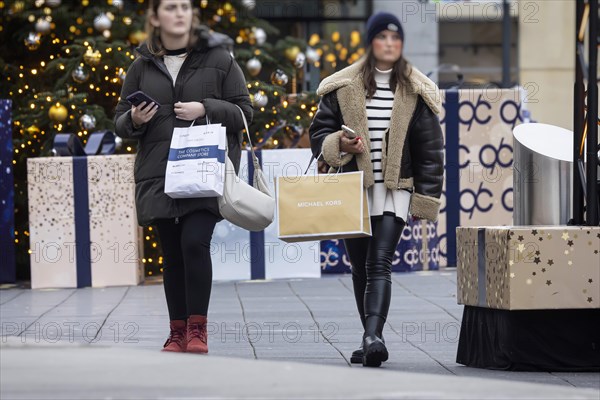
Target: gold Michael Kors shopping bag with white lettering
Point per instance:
(322, 207)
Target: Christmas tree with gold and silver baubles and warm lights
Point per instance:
(63, 64)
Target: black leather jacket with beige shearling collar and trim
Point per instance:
(412, 156)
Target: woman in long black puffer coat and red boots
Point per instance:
(191, 73)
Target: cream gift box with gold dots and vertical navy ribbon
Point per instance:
(82, 222)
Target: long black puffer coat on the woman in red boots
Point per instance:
(209, 75)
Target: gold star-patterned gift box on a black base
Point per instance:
(529, 268)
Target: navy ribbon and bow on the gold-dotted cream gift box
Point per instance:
(68, 144)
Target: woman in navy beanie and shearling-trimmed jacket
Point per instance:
(392, 107)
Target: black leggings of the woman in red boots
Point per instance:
(187, 271)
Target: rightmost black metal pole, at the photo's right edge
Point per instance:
(592, 119)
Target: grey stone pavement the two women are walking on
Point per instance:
(265, 339)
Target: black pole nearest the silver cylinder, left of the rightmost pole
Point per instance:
(578, 120)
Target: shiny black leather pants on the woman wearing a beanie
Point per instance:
(371, 260)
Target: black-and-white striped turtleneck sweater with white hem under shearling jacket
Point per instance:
(379, 111)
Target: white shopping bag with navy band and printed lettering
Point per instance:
(196, 164)
